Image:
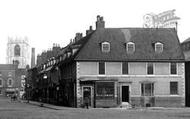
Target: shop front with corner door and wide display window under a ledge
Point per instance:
(100, 93)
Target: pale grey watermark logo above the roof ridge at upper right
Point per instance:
(165, 19)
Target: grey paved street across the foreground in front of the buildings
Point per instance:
(23, 110)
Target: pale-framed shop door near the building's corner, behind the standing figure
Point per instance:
(87, 93)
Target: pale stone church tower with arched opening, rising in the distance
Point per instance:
(18, 52)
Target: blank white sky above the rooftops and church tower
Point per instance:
(45, 22)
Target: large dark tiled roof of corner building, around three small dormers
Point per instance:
(144, 39)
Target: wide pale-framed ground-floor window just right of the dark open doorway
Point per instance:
(147, 89)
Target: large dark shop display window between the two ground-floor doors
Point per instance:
(105, 90)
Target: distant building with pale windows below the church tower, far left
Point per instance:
(12, 79)
